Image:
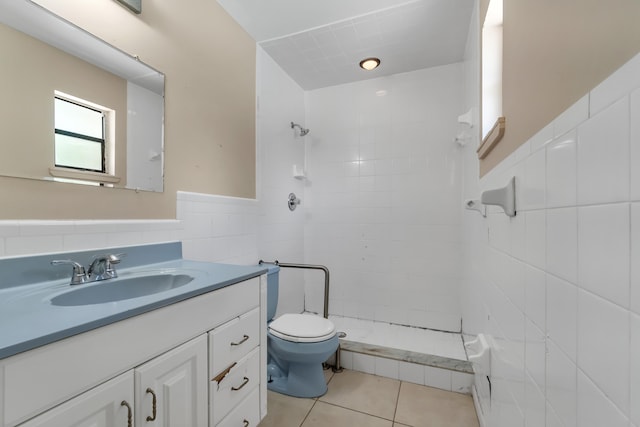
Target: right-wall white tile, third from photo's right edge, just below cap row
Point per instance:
(561, 171)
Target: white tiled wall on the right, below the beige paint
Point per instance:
(581, 250)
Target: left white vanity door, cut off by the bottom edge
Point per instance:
(108, 405)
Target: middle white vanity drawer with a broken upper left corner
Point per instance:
(243, 378)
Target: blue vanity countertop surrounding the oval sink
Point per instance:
(28, 319)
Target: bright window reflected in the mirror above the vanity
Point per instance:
(80, 140)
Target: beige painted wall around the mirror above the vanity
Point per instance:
(209, 63)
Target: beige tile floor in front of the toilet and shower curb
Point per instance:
(357, 399)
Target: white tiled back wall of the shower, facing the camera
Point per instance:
(383, 197)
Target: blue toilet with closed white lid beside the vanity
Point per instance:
(297, 346)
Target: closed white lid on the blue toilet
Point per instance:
(302, 328)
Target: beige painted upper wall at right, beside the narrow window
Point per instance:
(554, 53)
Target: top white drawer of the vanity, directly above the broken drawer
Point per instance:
(233, 340)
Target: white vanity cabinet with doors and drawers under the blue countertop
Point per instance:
(169, 352)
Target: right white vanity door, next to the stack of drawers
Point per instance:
(171, 390)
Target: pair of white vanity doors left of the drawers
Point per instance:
(170, 390)
